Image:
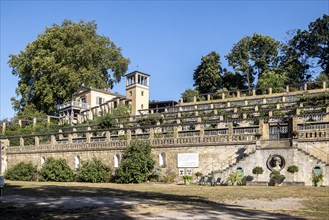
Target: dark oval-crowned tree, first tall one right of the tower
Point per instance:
(207, 76)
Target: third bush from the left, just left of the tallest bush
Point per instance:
(94, 171)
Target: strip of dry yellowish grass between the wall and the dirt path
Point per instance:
(314, 199)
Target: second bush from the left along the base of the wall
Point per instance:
(56, 170)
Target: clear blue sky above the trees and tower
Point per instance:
(165, 39)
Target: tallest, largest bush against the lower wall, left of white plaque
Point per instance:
(136, 164)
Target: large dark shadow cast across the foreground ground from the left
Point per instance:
(75, 202)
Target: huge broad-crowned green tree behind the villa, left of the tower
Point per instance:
(60, 60)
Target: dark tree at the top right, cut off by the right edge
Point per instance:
(314, 42)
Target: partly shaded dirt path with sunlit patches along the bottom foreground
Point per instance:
(18, 207)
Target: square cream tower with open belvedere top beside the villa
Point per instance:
(137, 89)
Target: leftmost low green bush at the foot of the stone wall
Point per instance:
(21, 171)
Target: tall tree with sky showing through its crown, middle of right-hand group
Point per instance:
(252, 56)
